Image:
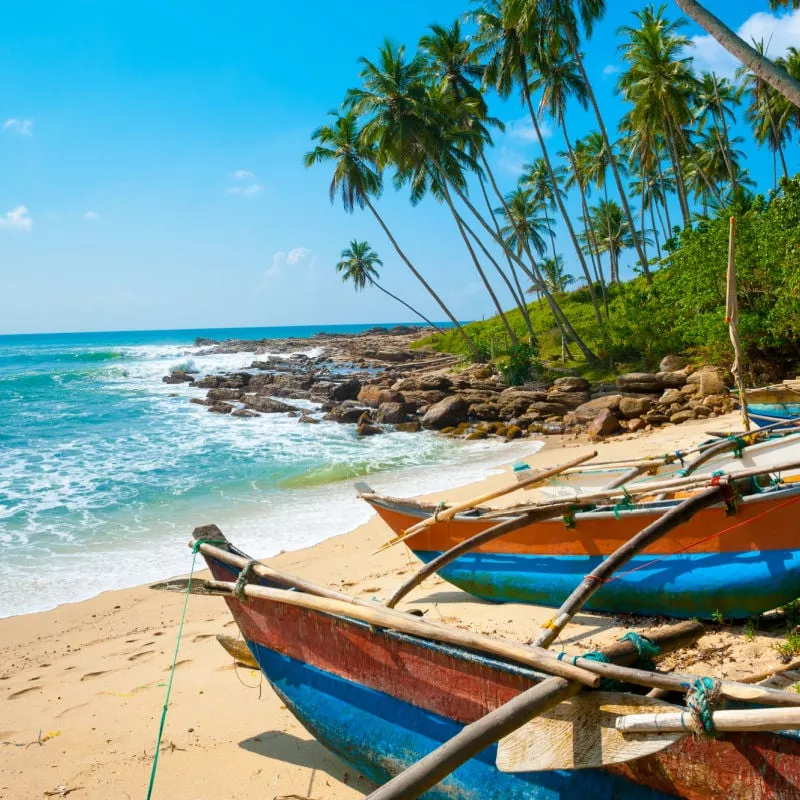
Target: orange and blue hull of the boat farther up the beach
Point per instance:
(691, 572)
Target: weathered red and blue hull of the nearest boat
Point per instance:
(381, 700)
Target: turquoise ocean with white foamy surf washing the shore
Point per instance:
(105, 470)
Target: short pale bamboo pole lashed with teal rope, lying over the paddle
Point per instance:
(751, 719)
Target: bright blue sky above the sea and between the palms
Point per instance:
(152, 169)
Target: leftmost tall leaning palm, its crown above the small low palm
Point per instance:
(356, 179)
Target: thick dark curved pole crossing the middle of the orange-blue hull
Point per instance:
(597, 577)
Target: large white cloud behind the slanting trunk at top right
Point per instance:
(778, 32)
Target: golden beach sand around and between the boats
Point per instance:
(83, 686)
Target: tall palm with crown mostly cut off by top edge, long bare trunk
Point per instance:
(560, 15)
